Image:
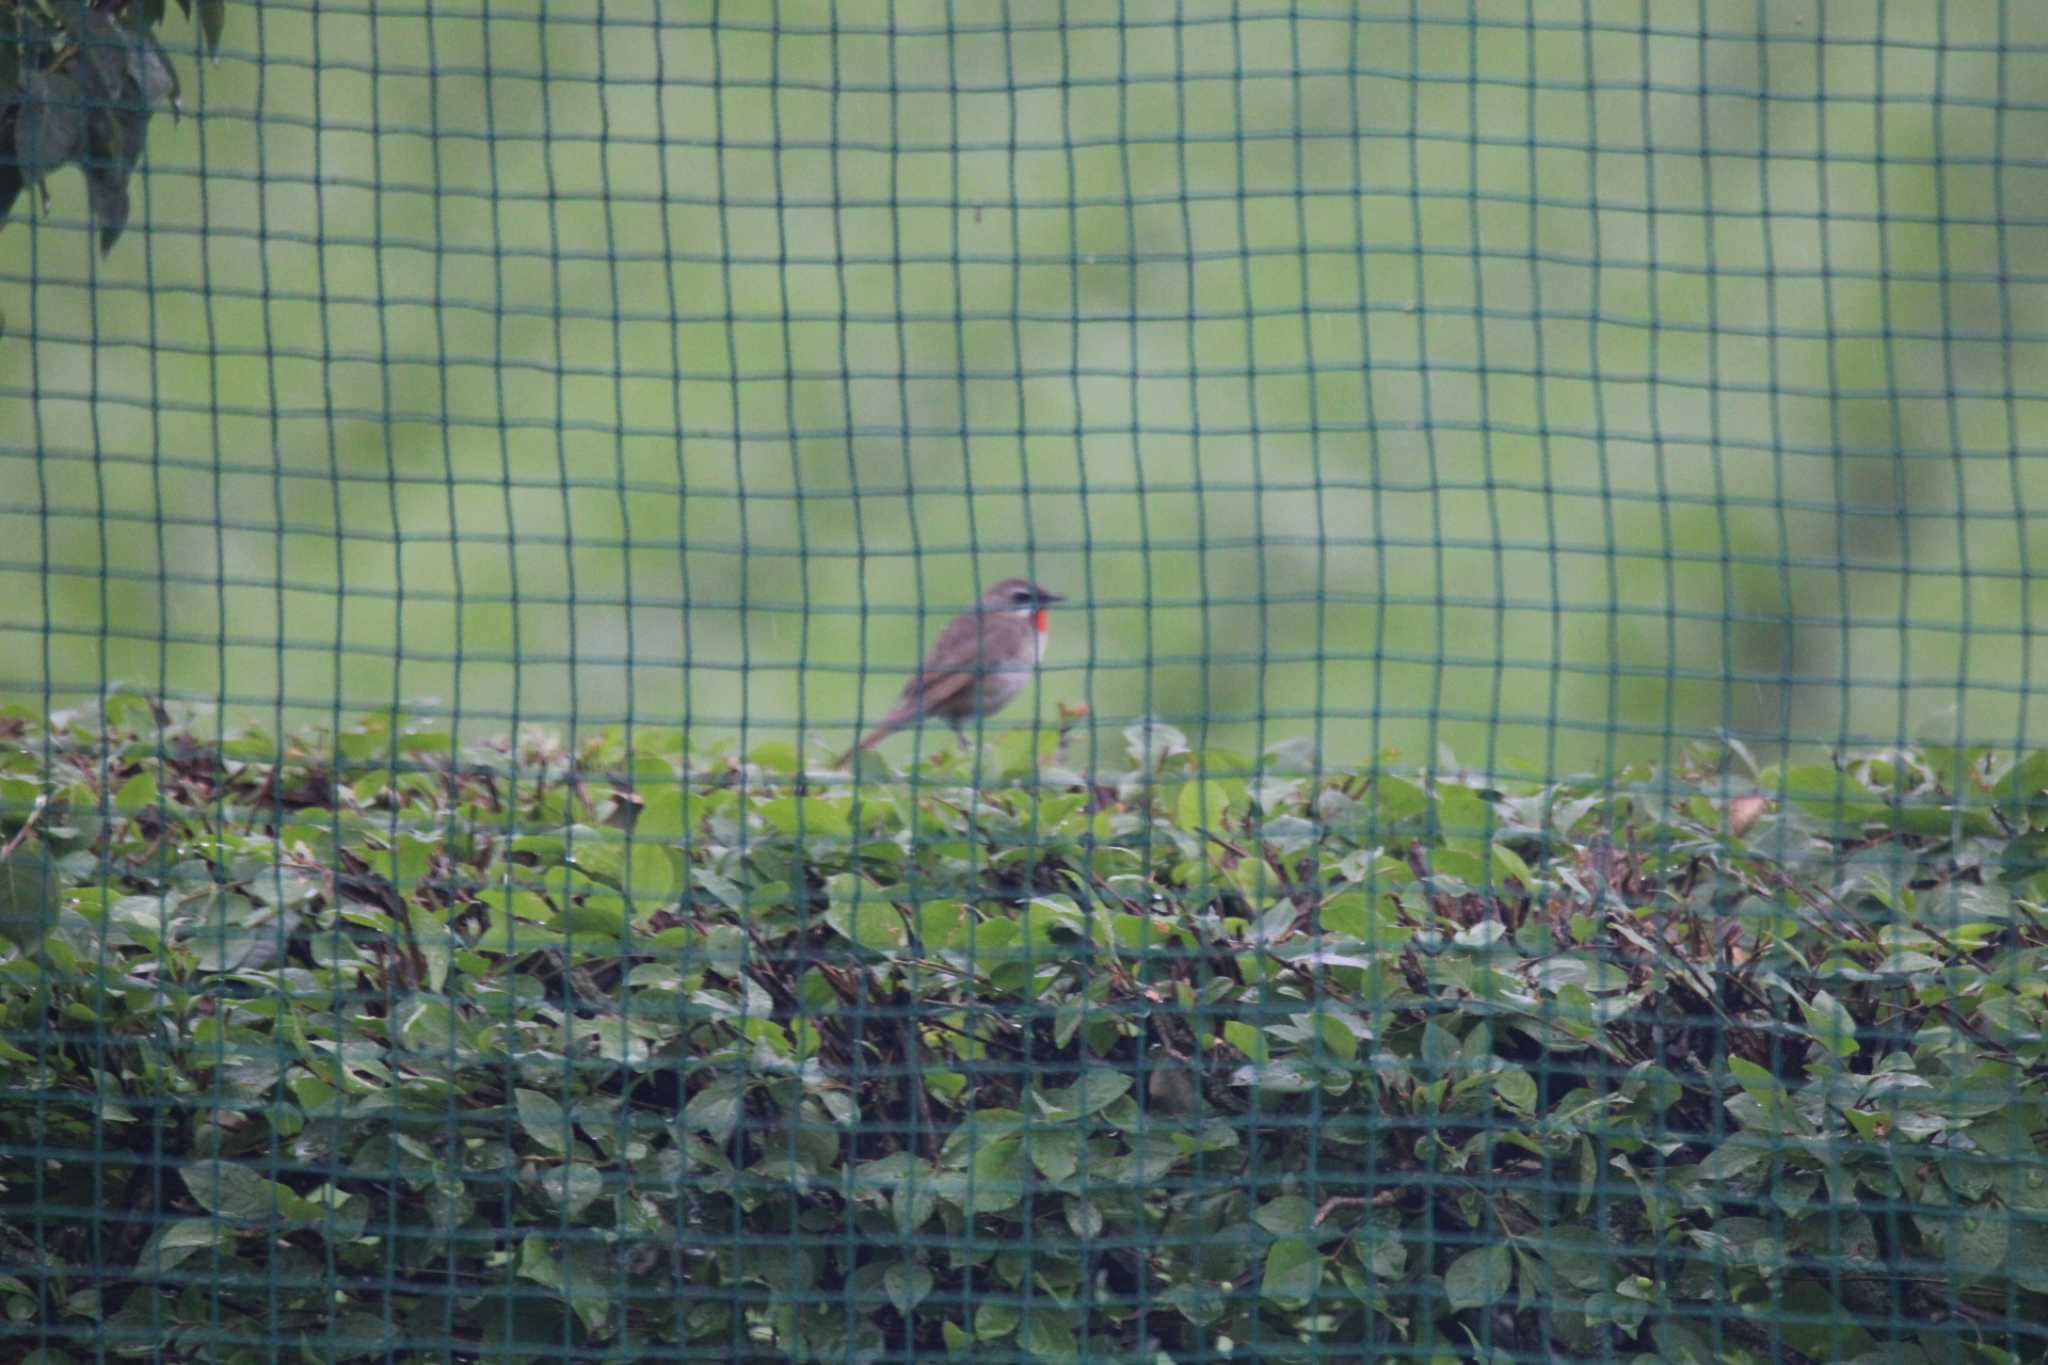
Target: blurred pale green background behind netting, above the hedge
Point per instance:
(1553, 380)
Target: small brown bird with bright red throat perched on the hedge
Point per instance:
(978, 666)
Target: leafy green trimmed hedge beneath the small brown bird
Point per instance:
(386, 1047)
